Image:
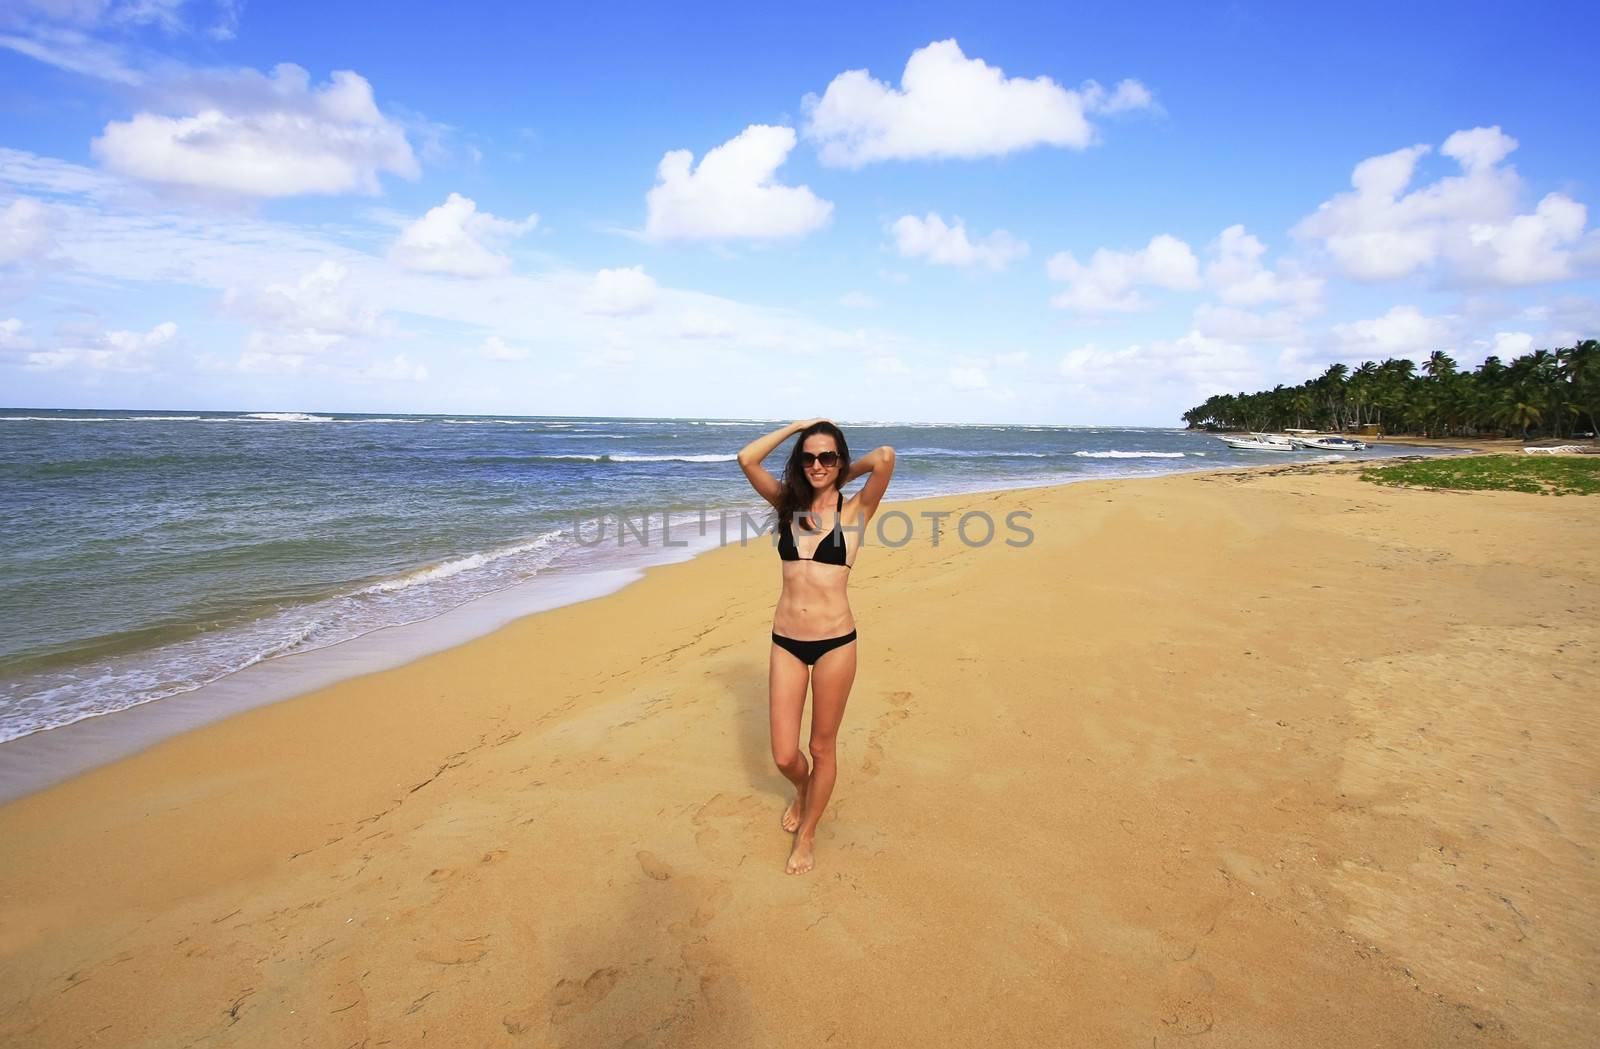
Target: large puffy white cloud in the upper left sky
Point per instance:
(273, 137)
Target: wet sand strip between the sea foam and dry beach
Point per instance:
(50, 757)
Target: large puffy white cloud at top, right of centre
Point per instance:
(953, 106)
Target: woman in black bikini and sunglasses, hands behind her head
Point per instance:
(814, 632)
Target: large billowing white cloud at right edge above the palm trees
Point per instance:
(1465, 225)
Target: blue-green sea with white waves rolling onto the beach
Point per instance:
(150, 554)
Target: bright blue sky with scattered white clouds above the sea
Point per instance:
(1081, 215)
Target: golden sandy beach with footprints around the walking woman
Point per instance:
(1271, 757)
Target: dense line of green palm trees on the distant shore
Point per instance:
(1551, 394)
